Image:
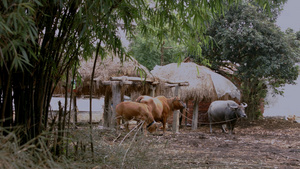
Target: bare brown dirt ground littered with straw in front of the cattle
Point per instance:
(266, 143)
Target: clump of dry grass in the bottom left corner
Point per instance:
(34, 154)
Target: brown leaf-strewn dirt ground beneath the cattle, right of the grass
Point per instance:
(265, 143)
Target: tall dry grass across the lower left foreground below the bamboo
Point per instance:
(111, 150)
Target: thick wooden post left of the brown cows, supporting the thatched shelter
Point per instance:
(116, 99)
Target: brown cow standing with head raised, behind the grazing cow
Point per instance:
(162, 107)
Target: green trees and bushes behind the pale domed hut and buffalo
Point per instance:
(244, 41)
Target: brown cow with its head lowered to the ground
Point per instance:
(136, 111)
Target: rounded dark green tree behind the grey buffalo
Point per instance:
(246, 39)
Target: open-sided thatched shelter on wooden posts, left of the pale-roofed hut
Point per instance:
(113, 79)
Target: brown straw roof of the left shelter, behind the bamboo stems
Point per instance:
(109, 67)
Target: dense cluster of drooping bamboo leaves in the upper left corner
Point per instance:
(18, 34)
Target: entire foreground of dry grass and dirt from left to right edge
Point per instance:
(268, 143)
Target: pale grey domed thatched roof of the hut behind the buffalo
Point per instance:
(204, 84)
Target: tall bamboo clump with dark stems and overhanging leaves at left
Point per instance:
(41, 40)
